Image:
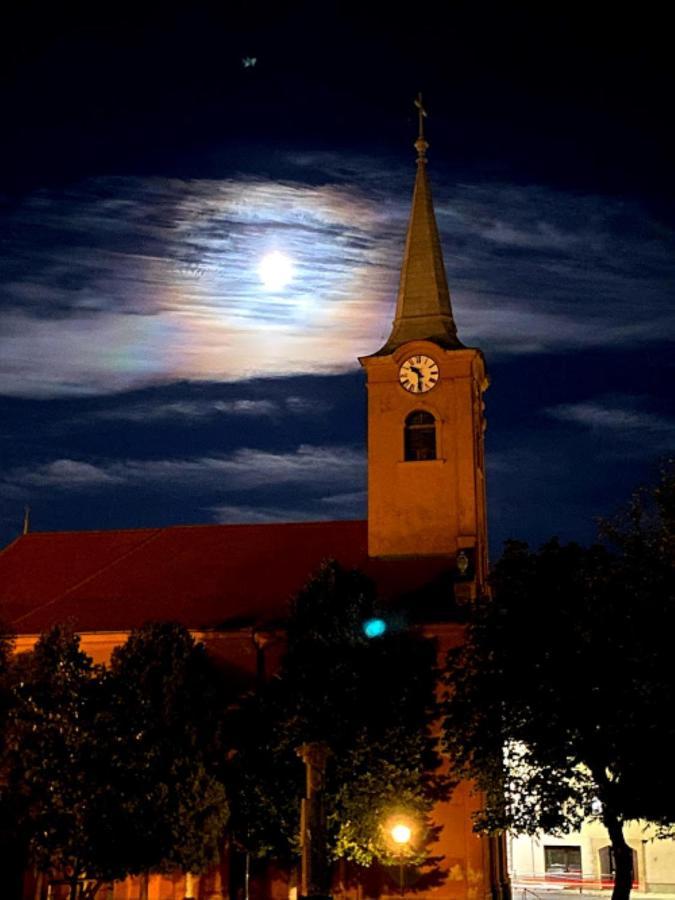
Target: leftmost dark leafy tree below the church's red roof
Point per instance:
(53, 781)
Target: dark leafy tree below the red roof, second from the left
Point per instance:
(164, 749)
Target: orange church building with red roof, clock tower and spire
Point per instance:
(425, 537)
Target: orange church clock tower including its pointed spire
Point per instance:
(426, 476)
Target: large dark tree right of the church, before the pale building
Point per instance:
(561, 694)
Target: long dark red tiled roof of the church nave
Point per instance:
(205, 576)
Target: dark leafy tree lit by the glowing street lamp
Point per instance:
(371, 701)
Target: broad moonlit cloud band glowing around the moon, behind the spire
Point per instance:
(118, 283)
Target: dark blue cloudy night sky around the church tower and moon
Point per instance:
(150, 158)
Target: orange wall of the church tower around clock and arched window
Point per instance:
(429, 507)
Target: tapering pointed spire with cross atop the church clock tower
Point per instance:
(423, 308)
